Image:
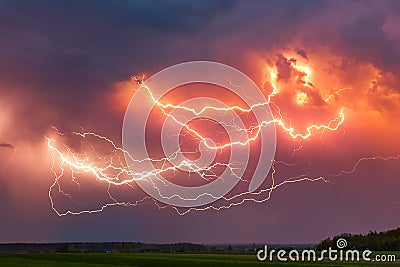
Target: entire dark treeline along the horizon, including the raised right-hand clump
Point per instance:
(383, 241)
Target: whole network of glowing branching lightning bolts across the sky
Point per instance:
(111, 169)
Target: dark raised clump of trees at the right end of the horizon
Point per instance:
(383, 241)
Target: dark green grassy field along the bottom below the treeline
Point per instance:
(154, 260)
